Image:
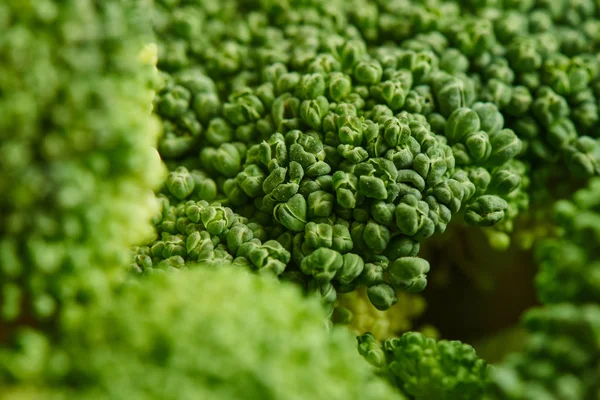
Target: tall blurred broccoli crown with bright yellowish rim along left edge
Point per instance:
(76, 172)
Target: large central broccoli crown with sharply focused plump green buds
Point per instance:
(346, 151)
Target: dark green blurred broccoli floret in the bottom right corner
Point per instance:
(560, 359)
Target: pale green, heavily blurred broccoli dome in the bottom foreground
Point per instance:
(182, 336)
